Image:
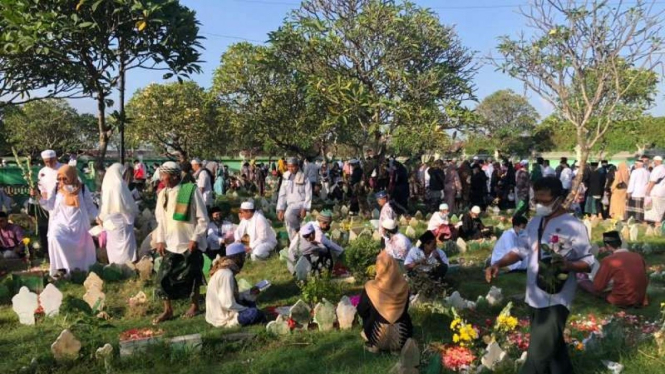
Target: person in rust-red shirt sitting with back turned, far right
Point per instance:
(622, 278)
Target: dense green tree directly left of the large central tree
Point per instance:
(266, 103)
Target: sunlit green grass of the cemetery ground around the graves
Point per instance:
(312, 351)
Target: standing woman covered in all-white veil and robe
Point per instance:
(117, 215)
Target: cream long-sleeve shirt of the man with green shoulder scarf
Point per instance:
(177, 234)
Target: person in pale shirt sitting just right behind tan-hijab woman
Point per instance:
(427, 257)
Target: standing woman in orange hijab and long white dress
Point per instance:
(71, 210)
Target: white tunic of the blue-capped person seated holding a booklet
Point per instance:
(221, 306)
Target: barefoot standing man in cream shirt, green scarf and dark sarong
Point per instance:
(180, 238)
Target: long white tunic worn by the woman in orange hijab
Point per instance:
(70, 245)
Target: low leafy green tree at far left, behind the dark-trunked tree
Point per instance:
(46, 124)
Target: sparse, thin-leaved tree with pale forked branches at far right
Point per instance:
(592, 61)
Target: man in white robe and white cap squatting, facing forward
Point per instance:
(261, 237)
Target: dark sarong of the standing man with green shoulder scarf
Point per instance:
(180, 275)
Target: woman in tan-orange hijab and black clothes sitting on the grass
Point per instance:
(384, 307)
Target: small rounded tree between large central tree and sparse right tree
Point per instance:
(506, 120)
